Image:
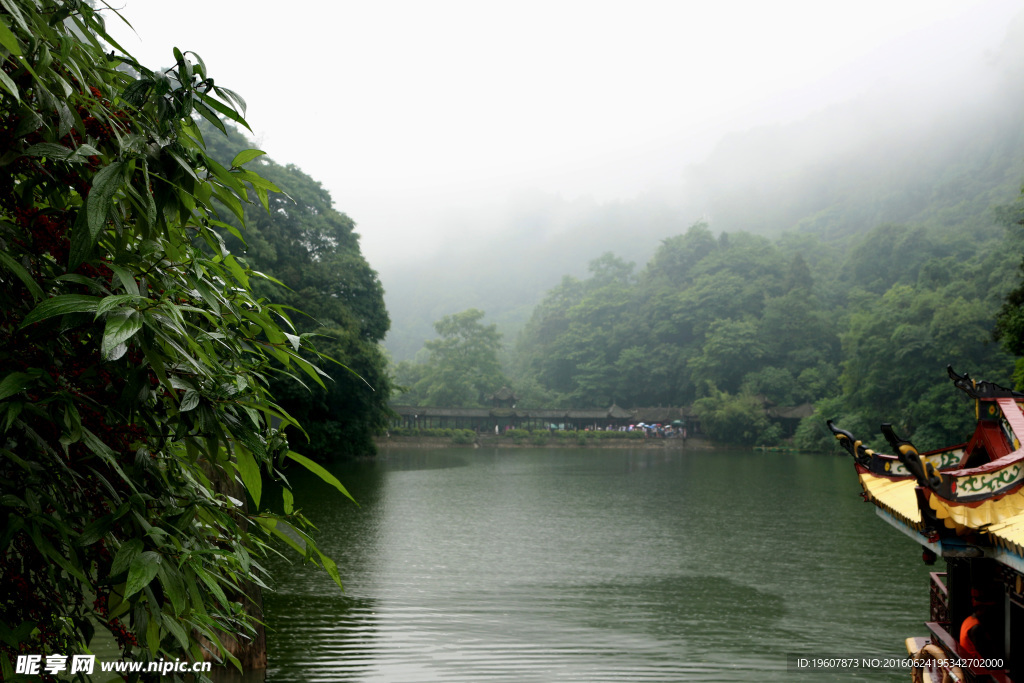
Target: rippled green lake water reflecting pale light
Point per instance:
(594, 566)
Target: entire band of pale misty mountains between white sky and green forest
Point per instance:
(947, 148)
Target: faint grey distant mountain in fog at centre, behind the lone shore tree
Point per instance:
(503, 264)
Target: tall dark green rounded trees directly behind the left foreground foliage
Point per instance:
(313, 249)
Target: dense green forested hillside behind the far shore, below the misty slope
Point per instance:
(736, 323)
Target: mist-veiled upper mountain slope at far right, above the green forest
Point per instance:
(901, 154)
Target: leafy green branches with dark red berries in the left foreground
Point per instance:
(135, 409)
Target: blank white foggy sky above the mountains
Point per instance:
(417, 115)
